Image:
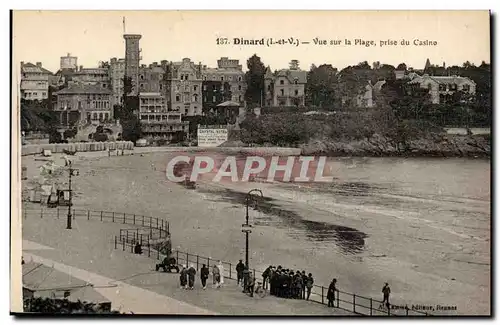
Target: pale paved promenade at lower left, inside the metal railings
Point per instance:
(130, 282)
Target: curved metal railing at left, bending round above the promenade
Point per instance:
(155, 228)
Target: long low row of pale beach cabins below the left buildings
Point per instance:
(32, 149)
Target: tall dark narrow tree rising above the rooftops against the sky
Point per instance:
(255, 81)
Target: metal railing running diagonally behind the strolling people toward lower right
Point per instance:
(356, 304)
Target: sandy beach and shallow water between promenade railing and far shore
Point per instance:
(423, 225)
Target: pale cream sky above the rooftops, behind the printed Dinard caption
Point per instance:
(93, 36)
